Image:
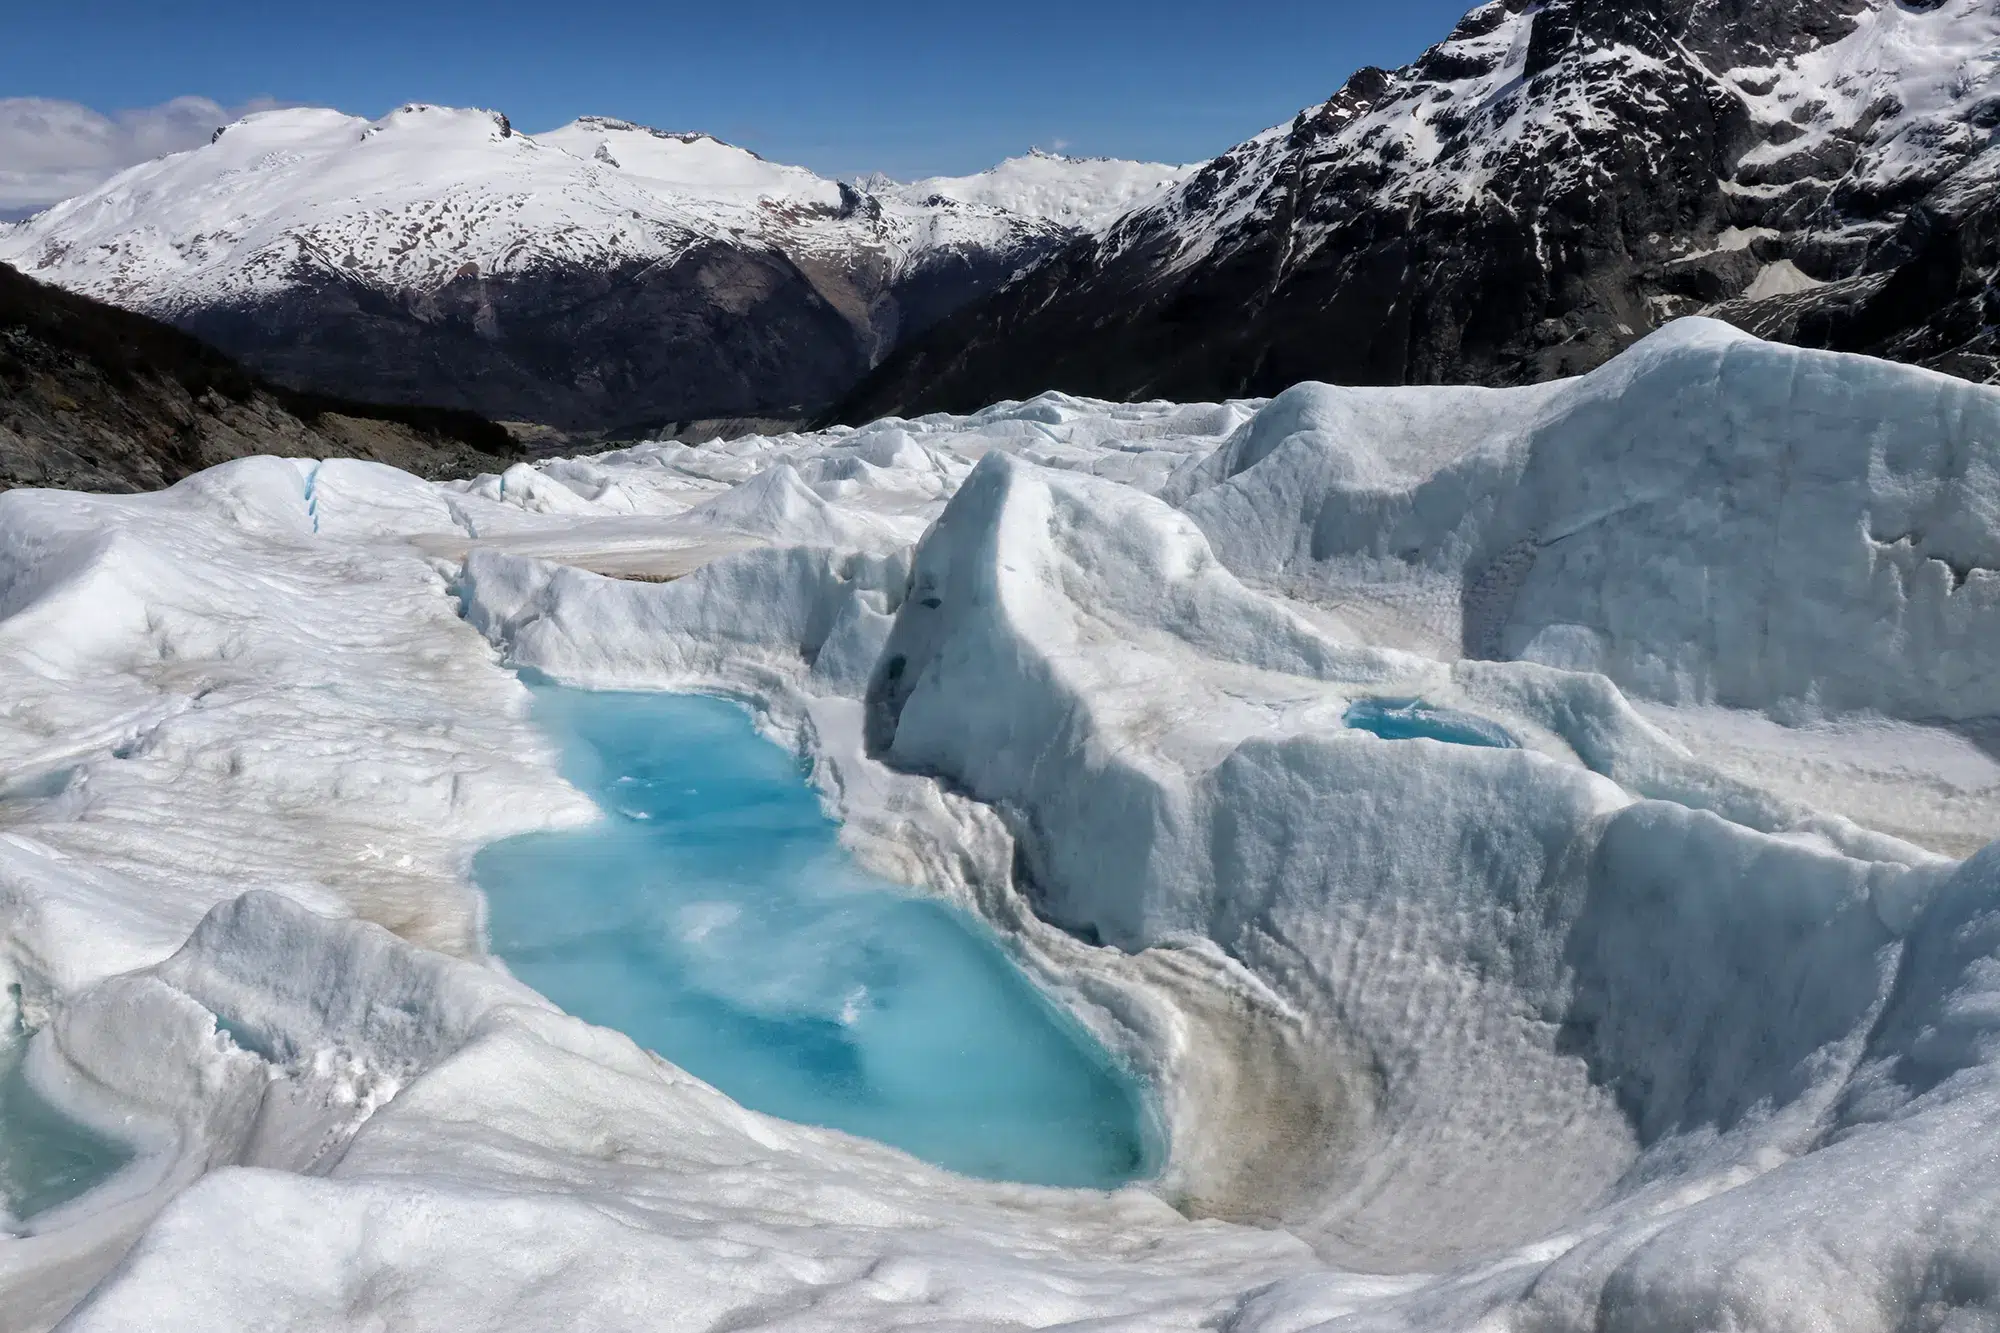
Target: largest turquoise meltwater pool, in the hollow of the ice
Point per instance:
(717, 920)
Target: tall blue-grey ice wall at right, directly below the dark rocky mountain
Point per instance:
(1707, 519)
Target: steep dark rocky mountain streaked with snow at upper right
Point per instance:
(1529, 197)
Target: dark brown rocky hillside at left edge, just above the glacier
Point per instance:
(103, 399)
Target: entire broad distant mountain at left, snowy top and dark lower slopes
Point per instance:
(595, 275)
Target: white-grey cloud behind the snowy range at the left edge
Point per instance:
(51, 151)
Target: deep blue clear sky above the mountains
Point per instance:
(899, 87)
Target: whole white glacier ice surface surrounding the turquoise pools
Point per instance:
(1681, 1016)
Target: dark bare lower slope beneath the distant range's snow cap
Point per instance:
(719, 331)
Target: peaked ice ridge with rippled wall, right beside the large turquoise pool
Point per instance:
(1535, 986)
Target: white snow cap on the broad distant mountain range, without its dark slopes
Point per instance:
(433, 193)
